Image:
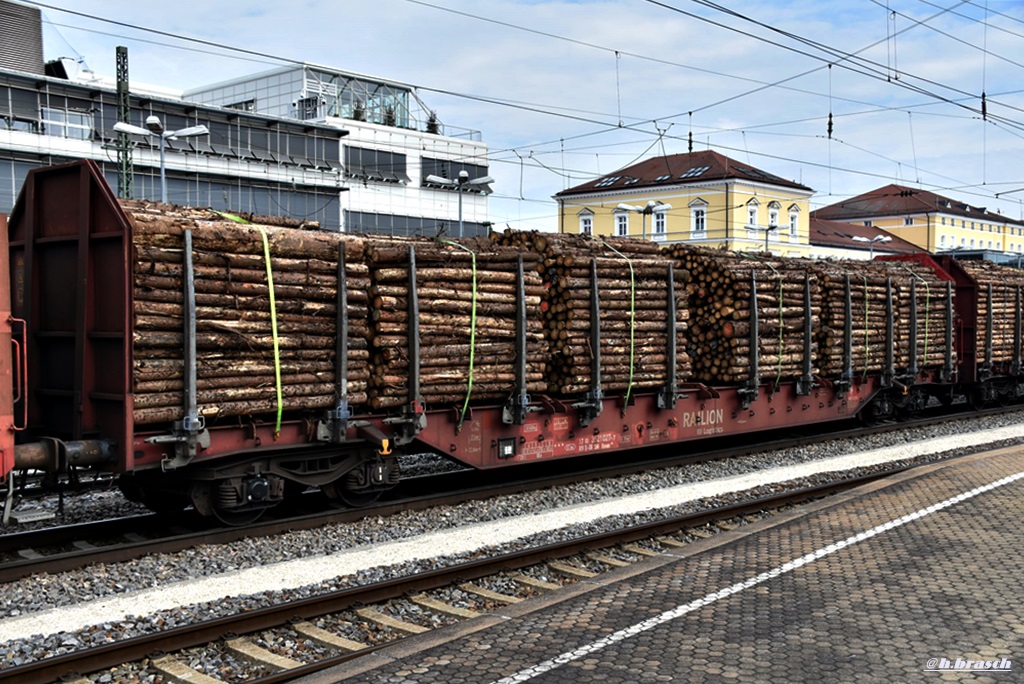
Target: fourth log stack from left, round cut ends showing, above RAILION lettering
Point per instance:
(720, 293)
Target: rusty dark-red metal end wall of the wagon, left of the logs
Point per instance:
(70, 246)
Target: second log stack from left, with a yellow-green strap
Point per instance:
(446, 292)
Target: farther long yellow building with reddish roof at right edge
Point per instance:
(929, 221)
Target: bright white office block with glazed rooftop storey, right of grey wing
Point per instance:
(395, 145)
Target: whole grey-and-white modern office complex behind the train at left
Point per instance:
(279, 151)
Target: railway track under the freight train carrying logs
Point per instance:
(66, 548)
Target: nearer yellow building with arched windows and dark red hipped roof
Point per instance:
(702, 198)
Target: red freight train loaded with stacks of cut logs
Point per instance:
(225, 362)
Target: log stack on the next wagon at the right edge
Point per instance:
(1007, 290)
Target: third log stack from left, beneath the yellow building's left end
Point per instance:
(634, 312)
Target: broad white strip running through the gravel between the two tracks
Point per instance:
(466, 539)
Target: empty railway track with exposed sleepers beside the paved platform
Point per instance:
(377, 610)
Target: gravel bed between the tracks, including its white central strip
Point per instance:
(49, 616)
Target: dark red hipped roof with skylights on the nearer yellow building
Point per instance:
(680, 169)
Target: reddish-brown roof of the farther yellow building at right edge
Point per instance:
(897, 200)
